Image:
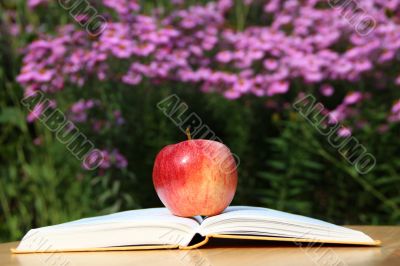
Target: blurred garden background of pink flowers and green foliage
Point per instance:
(239, 65)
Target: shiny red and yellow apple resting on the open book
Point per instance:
(195, 177)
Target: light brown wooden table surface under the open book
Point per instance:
(223, 254)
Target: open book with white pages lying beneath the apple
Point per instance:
(157, 228)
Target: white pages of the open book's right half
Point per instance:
(257, 221)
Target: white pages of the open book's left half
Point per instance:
(156, 226)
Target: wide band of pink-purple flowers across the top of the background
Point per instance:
(291, 41)
